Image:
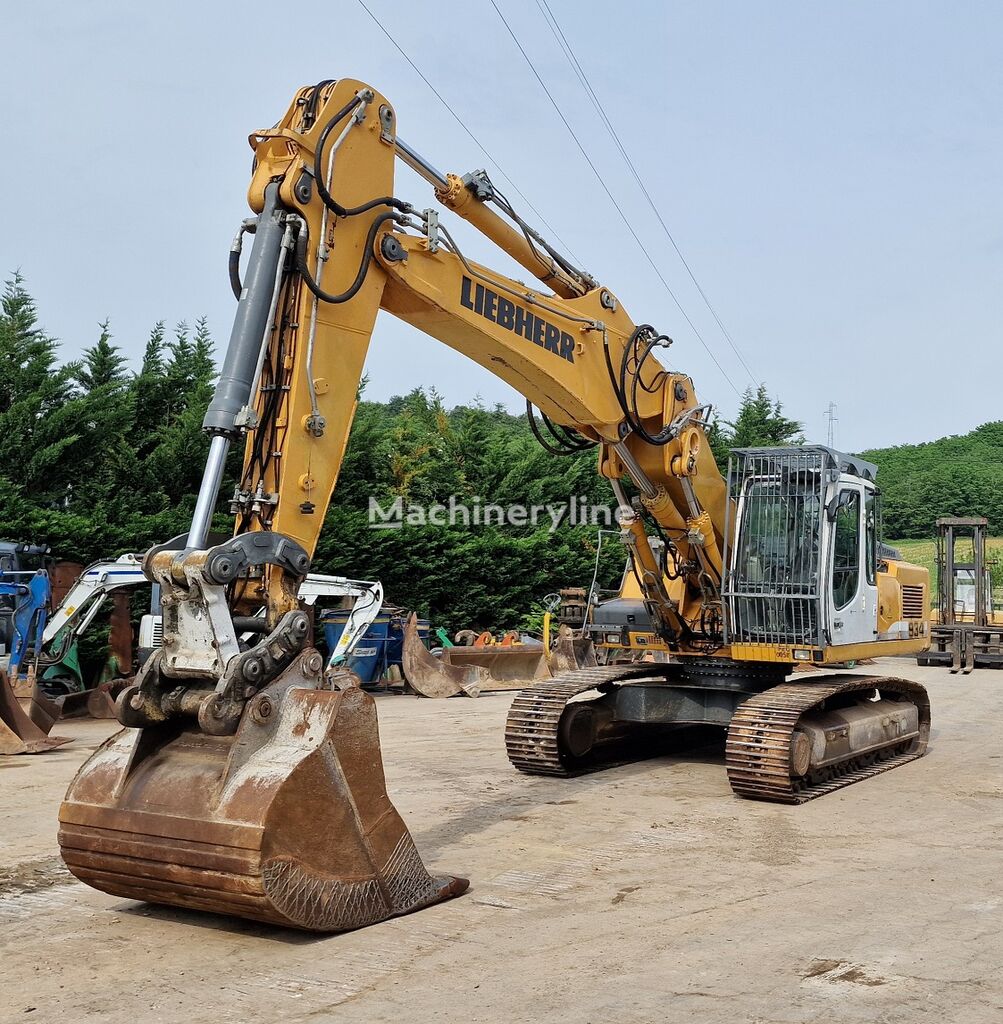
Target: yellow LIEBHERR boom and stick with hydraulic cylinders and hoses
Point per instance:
(333, 247)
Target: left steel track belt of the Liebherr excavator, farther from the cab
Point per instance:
(531, 731)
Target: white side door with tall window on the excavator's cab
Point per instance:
(853, 591)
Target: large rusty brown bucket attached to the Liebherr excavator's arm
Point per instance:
(287, 823)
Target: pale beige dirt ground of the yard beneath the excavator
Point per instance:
(645, 893)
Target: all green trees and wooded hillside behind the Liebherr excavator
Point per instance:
(97, 459)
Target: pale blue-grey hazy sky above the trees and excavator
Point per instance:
(832, 175)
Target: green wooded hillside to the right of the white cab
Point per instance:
(958, 476)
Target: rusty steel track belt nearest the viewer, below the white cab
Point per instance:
(759, 748)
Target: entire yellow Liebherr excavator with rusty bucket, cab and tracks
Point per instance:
(246, 781)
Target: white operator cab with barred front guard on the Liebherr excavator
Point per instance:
(802, 569)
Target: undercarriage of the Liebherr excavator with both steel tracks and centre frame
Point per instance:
(787, 743)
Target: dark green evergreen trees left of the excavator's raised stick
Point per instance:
(96, 460)
